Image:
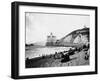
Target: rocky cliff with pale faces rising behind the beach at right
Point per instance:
(78, 36)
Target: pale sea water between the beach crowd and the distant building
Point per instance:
(34, 52)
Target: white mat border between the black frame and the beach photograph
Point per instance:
(54, 70)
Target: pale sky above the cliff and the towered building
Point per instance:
(40, 25)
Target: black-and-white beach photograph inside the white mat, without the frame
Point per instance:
(57, 40)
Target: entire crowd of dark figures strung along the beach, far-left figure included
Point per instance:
(65, 55)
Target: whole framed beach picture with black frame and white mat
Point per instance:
(51, 40)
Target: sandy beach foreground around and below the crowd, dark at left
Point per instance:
(49, 61)
